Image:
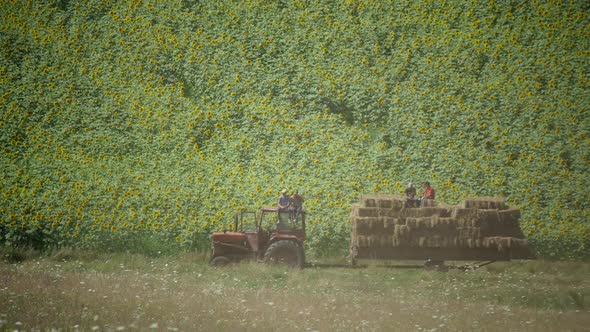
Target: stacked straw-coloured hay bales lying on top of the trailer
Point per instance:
(382, 221)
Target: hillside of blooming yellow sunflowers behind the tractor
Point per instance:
(126, 120)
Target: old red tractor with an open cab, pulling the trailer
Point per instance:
(270, 236)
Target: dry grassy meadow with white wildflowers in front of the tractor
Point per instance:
(114, 292)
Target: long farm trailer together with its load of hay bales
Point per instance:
(483, 229)
